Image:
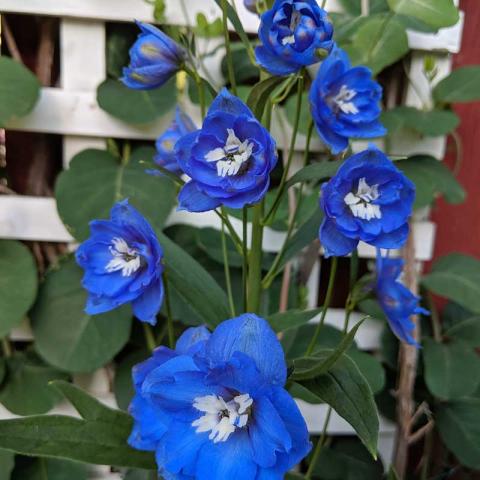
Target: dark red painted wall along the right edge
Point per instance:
(459, 226)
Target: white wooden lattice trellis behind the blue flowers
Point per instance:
(72, 111)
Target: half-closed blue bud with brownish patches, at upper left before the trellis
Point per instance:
(154, 59)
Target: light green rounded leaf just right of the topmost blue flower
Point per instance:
(378, 43)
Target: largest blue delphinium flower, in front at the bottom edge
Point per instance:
(215, 408)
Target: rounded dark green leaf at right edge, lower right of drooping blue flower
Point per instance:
(452, 370)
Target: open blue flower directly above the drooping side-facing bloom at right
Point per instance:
(369, 199)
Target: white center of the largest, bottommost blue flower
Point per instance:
(221, 418)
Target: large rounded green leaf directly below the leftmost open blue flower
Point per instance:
(65, 336)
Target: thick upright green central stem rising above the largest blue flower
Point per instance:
(255, 261)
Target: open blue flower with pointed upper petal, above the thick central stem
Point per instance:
(229, 160)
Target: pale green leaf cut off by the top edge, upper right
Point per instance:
(437, 13)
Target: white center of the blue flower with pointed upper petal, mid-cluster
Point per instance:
(232, 156)
